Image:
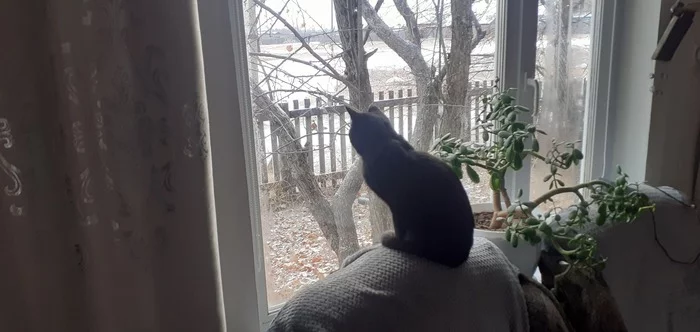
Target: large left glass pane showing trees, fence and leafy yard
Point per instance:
(300, 82)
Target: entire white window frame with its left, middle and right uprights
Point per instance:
(238, 237)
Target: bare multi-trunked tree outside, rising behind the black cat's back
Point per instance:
(428, 77)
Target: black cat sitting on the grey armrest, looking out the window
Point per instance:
(432, 215)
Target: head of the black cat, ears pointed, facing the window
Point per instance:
(369, 130)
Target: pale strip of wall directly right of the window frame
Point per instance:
(636, 31)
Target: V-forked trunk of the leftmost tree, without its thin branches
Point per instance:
(334, 217)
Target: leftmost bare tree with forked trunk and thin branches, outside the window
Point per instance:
(334, 215)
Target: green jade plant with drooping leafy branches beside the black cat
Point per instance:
(506, 142)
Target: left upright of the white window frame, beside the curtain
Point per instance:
(237, 234)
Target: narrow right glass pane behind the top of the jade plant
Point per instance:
(563, 59)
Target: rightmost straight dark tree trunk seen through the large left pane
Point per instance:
(457, 77)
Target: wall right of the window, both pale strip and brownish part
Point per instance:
(654, 106)
